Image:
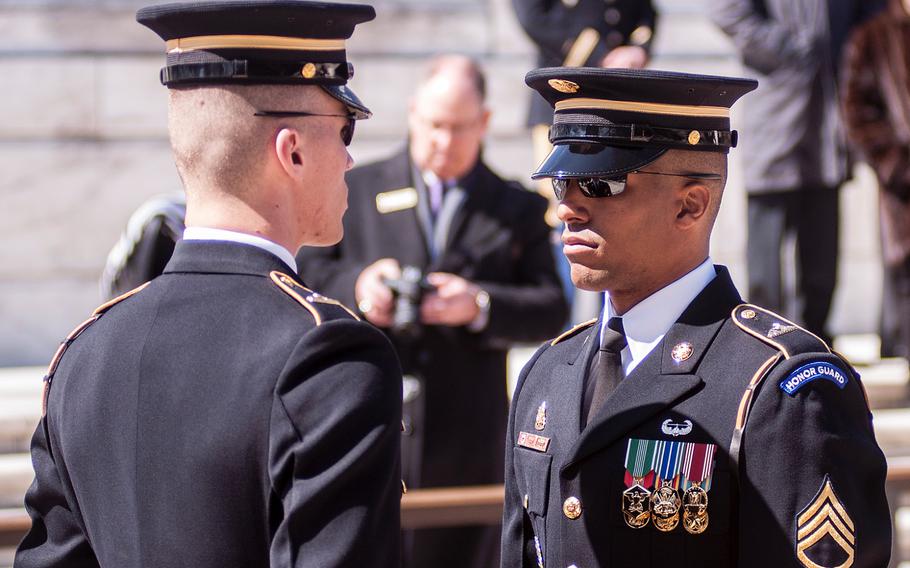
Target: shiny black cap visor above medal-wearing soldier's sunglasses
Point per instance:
(594, 160)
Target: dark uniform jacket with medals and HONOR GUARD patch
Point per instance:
(774, 451)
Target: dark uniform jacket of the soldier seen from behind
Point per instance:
(210, 420)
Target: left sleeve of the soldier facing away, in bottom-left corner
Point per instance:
(56, 538)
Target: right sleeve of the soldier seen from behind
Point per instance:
(334, 450)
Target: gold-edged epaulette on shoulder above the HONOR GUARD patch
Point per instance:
(776, 331)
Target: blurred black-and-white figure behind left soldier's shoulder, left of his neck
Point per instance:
(145, 246)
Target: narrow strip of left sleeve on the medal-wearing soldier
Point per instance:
(518, 549)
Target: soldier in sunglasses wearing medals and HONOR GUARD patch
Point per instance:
(682, 427)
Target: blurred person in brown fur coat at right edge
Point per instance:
(876, 98)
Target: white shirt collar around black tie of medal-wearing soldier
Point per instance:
(649, 320)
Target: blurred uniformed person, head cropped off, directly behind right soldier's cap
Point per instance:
(580, 33)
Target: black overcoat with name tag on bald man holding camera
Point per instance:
(500, 241)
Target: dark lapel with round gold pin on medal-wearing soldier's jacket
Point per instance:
(662, 378)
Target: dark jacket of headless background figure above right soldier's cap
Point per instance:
(555, 25)
